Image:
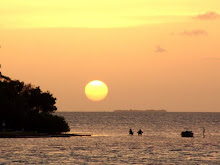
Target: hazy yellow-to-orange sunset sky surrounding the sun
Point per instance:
(152, 54)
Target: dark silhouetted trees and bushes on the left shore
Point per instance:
(25, 107)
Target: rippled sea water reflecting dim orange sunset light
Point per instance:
(160, 143)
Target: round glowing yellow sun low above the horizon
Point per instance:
(96, 90)
